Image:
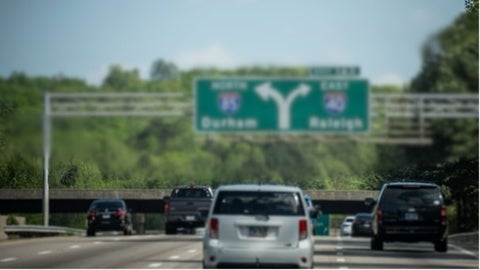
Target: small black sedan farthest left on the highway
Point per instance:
(108, 215)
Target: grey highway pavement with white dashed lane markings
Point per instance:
(185, 251)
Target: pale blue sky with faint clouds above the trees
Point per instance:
(83, 38)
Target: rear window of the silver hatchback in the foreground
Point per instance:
(258, 202)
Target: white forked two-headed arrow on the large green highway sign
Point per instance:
(266, 91)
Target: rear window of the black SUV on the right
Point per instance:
(412, 195)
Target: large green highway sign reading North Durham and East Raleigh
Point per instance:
(278, 105)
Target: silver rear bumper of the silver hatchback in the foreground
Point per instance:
(216, 256)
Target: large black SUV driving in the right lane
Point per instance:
(409, 212)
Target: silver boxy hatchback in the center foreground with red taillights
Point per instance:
(258, 226)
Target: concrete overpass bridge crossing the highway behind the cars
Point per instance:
(152, 200)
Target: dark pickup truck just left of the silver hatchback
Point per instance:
(187, 207)
